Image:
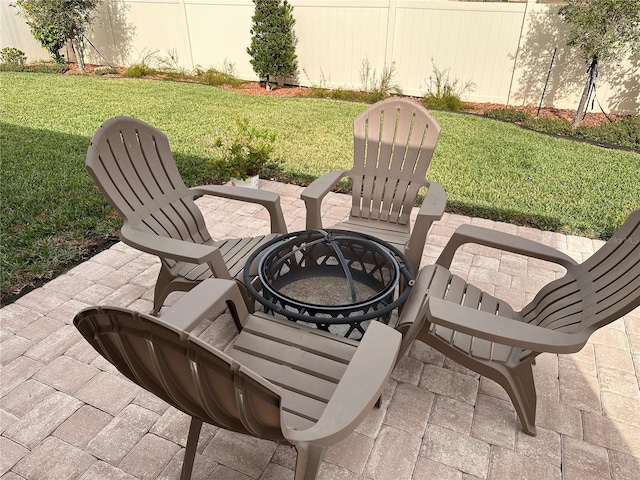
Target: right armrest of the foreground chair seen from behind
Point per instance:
(358, 390)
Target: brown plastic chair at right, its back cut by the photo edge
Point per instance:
(484, 334)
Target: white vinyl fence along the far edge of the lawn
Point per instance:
(504, 49)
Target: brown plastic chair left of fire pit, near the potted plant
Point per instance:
(132, 164)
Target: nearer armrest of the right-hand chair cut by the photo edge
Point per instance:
(500, 329)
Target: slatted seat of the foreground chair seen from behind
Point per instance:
(291, 355)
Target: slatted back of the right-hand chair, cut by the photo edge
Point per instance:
(595, 293)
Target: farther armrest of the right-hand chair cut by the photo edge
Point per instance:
(503, 241)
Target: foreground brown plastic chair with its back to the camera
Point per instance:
(279, 381)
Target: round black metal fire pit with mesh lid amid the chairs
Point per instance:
(337, 280)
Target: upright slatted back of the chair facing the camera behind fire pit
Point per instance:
(394, 141)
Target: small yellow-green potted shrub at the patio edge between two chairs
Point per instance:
(245, 153)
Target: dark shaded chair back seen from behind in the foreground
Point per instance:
(185, 372)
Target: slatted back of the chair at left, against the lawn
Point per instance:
(131, 162)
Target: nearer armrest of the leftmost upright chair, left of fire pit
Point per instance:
(174, 249)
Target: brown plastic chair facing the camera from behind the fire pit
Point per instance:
(393, 142)
